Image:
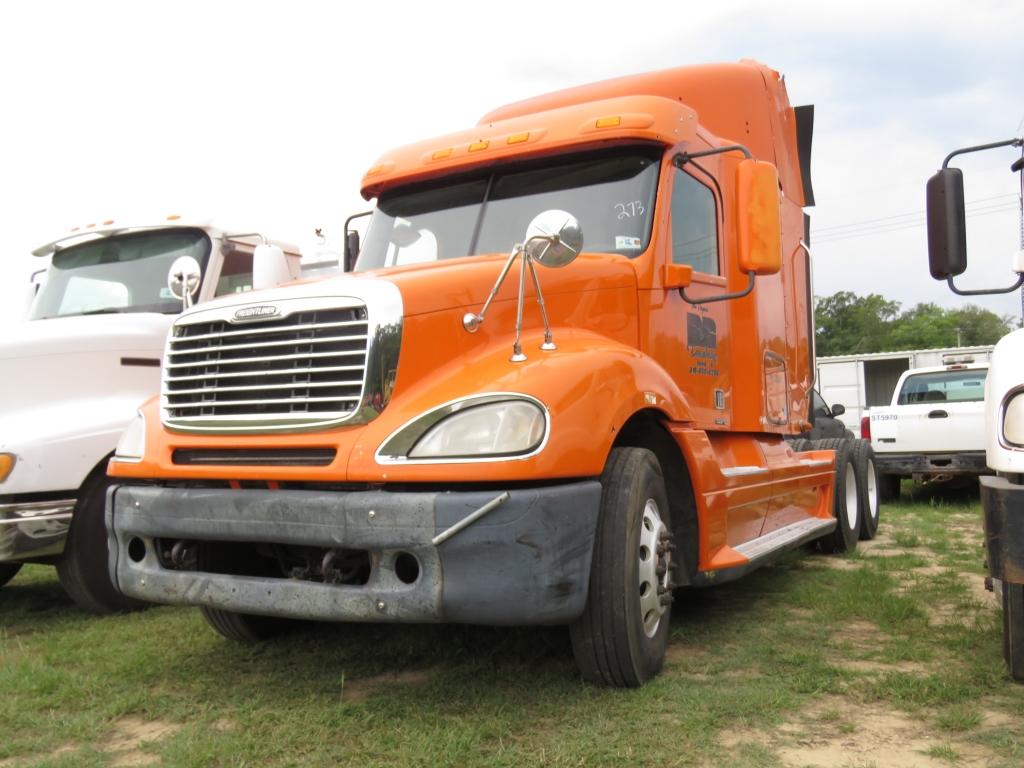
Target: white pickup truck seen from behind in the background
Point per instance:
(934, 430)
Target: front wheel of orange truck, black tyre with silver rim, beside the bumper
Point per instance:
(621, 638)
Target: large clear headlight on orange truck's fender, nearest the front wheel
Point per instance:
(504, 429)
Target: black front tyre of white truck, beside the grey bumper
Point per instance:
(83, 567)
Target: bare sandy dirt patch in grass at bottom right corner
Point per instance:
(834, 733)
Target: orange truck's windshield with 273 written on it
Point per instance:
(612, 195)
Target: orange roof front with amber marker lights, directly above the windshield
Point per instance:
(625, 118)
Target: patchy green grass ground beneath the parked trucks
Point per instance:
(804, 652)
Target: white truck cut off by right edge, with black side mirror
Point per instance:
(1003, 493)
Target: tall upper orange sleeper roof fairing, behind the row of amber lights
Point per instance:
(744, 103)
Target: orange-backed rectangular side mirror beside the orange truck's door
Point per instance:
(759, 225)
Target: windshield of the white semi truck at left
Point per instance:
(121, 274)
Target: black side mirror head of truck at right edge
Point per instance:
(947, 225)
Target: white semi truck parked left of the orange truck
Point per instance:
(74, 372)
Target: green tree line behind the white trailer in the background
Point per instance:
(847, 324)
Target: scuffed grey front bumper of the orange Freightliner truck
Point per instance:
(527, 563)
